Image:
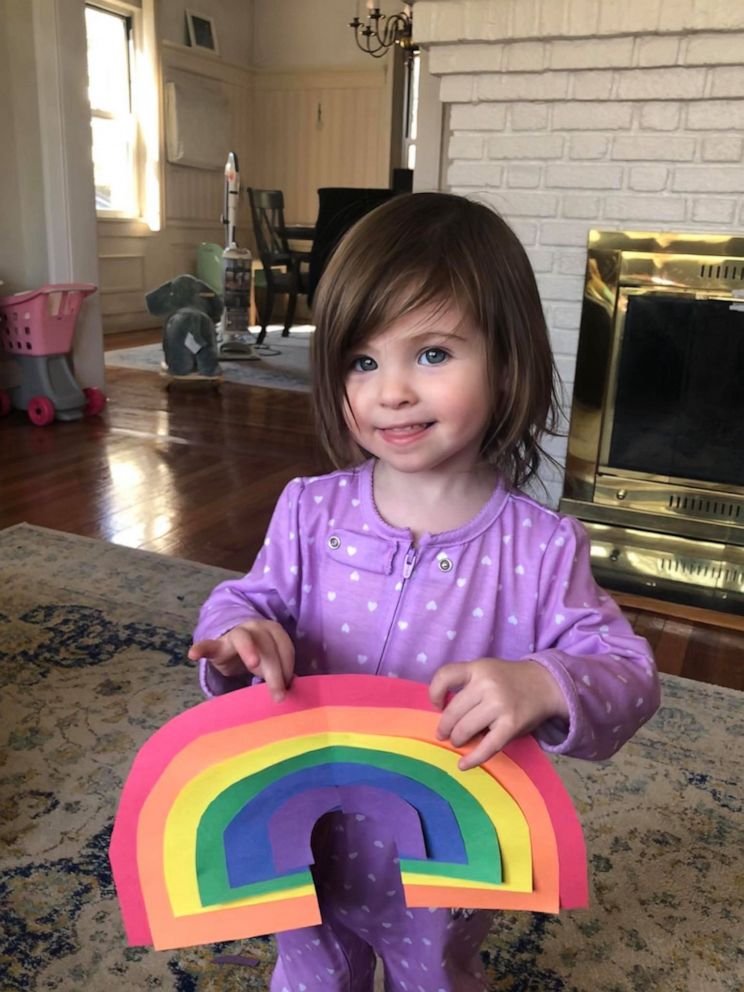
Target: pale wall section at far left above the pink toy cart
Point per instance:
(49, 168)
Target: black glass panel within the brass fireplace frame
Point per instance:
(679, 408)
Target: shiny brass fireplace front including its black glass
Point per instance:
(655, 464)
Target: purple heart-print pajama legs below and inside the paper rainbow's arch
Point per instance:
(357, 879)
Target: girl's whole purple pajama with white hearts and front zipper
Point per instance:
(356, 594)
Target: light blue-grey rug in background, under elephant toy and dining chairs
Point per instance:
(284, 364)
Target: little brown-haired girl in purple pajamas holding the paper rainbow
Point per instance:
(421, 559)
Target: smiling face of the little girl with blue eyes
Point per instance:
(418, 396)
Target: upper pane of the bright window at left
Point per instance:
(108, 61)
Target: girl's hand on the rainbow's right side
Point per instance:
(503, 699)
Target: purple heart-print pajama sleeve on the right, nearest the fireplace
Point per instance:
(606, 672)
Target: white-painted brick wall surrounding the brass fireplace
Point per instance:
(572, 114)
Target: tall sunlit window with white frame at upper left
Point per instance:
(123, 96)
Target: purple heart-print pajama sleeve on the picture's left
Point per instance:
(269, 591)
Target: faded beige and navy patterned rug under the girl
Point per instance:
(92, 645)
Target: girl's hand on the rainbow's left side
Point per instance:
(258, 647)
